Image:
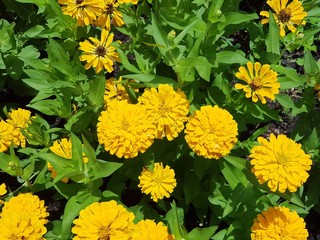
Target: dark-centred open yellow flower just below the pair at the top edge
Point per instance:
(100, 54)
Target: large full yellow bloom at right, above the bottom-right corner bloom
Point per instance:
(281, 162)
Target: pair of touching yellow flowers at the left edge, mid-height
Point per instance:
(11, 129)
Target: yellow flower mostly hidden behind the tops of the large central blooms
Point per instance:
(114, 90)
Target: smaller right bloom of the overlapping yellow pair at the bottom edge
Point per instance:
(149, 230)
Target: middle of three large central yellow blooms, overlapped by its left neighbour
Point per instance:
(168, 108)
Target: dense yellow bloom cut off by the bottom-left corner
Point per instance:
(23, 217)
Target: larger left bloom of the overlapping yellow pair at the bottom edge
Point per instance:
(106, 220)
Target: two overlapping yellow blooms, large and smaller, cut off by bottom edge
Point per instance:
(109, 220)
